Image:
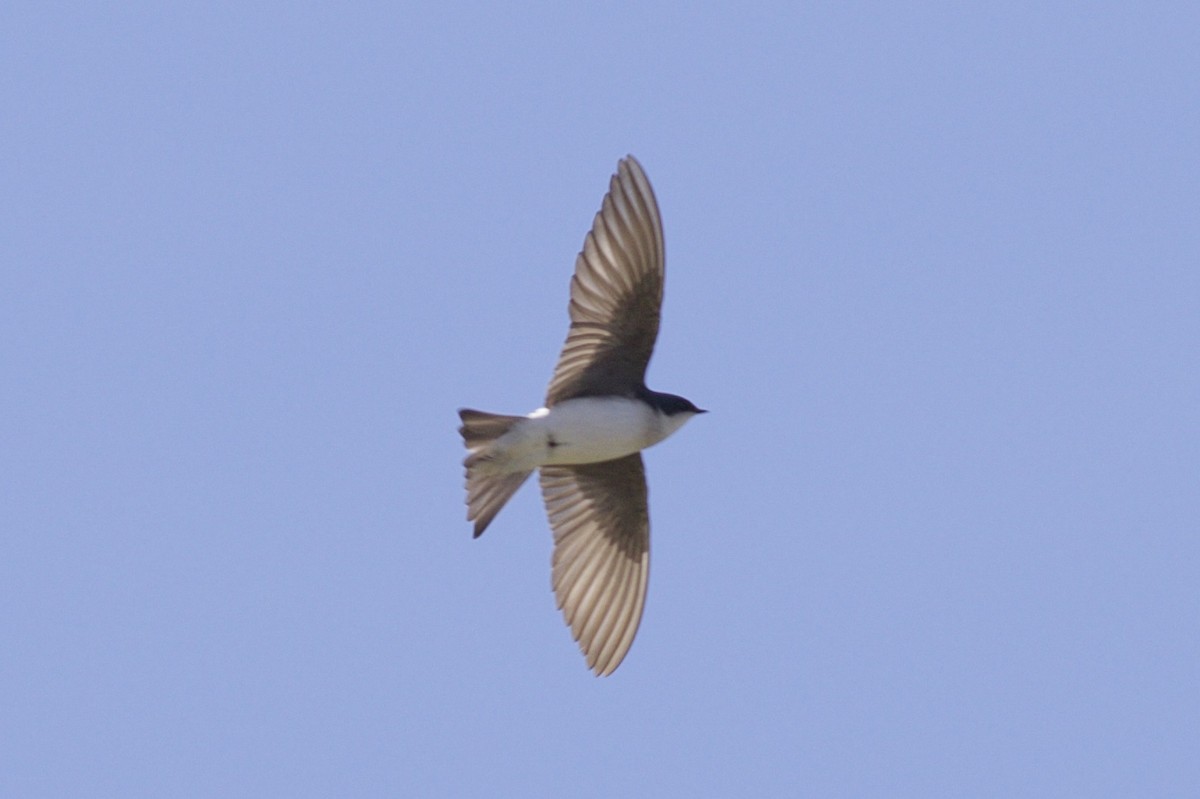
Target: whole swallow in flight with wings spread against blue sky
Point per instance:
(598, 418)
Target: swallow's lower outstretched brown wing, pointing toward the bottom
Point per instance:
(602, 558)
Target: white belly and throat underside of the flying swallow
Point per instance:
(581, 431)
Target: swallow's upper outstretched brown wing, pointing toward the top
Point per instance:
(616, 295)
